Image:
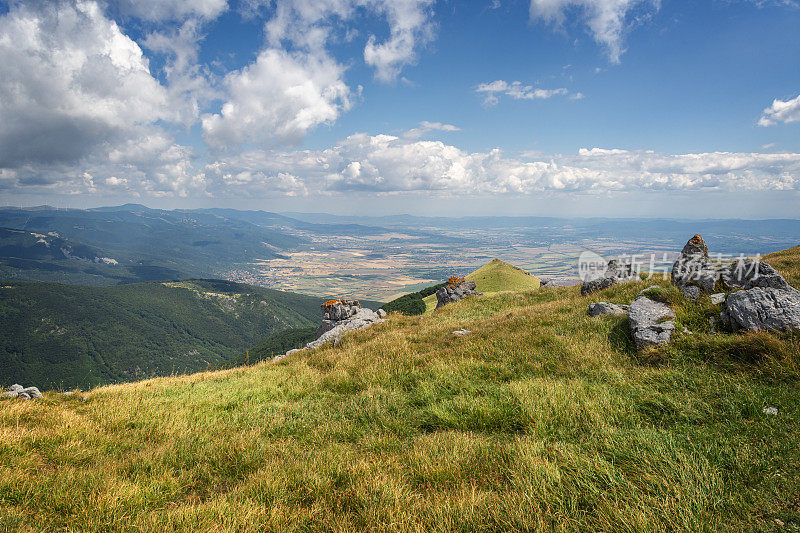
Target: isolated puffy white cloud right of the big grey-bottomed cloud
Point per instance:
(278, 99)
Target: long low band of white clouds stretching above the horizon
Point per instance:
(387, 164)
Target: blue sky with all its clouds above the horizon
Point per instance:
(619, 108)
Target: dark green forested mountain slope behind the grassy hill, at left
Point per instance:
(63, 335)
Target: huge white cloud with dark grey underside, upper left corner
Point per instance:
(70, 83)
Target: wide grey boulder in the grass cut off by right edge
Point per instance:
(763, 308)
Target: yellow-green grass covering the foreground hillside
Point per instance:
(543, 419)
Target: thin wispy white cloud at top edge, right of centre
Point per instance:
(607, 20)
